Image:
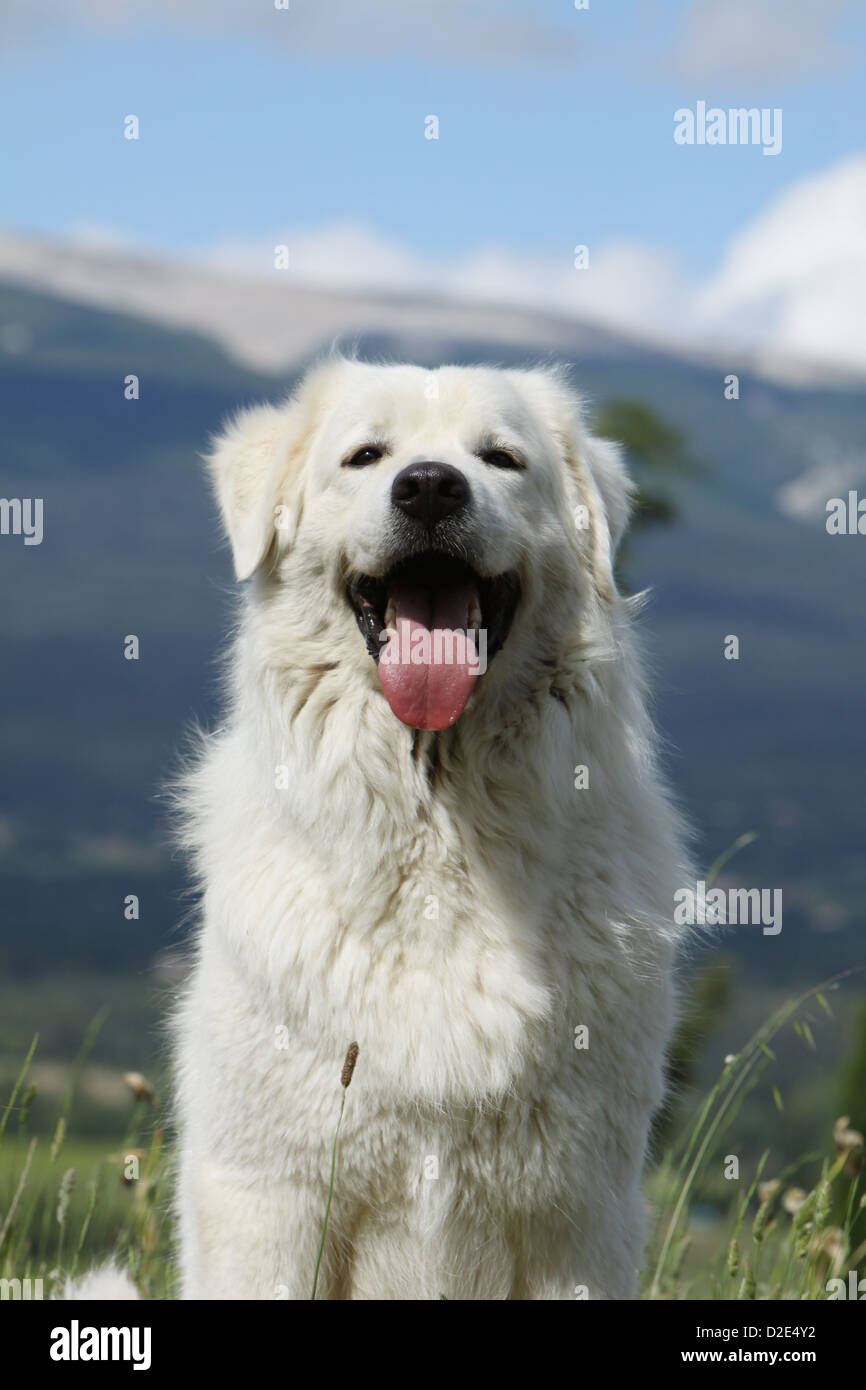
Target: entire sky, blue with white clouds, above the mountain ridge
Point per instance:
(557, 126)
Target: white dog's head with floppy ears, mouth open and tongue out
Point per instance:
(461, 519)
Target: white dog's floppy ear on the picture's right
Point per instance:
(596, 466)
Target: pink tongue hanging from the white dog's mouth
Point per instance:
(429, 667)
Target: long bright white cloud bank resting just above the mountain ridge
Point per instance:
(792, 284)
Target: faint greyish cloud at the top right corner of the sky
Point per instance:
(754, 41)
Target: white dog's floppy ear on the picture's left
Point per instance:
(248, 464)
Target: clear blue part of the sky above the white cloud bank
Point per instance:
(241, 136)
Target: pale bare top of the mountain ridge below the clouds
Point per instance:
(275, 323)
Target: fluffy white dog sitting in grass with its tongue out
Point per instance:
(443, 837)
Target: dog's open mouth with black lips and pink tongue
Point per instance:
(433, 626)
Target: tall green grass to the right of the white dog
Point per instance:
(778, 1239)
